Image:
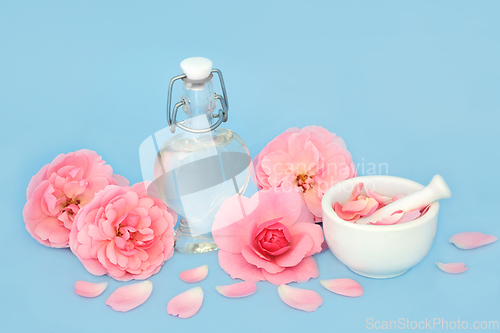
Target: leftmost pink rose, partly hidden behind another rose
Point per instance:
(60, 189)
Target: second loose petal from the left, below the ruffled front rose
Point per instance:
(130, 296)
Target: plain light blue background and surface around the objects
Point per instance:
(414, 84)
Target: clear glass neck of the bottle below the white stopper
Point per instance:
(199, 104)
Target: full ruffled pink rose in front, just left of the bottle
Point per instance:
(123, 233)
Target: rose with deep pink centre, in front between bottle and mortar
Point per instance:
(271, 236)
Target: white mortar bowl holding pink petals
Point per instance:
(378, 251)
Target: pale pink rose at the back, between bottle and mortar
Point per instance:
(310, 160)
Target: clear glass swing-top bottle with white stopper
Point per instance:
(201, 164)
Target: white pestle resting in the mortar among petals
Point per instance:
(437, 189)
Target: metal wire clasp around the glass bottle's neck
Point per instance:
(222, 116)
